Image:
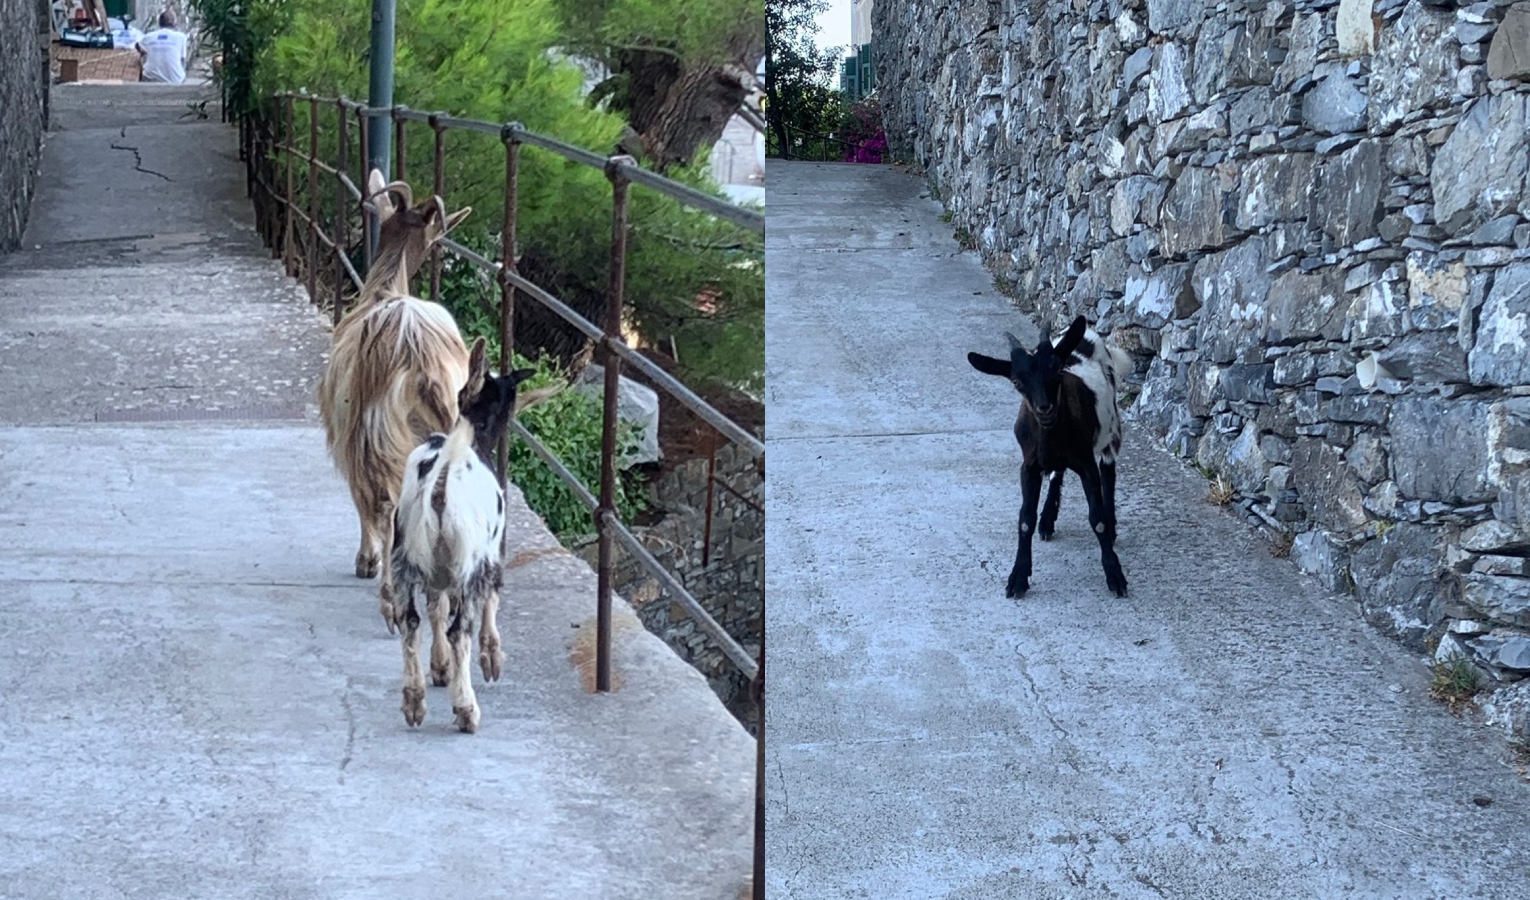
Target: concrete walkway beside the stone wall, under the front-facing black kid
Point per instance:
(1226, 731)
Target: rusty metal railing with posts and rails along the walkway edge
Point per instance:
(622, 172)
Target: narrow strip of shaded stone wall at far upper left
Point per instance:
(24, 88)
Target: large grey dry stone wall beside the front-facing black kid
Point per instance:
(1310, 224)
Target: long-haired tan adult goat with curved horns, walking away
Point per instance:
(396, 370)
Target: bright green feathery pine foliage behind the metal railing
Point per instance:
(492, 60)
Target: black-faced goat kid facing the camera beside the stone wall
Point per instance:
(1069, 422)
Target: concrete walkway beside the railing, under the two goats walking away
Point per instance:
(197, 696)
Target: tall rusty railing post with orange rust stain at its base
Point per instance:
(608, 442)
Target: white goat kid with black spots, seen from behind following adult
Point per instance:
(448, 543)
